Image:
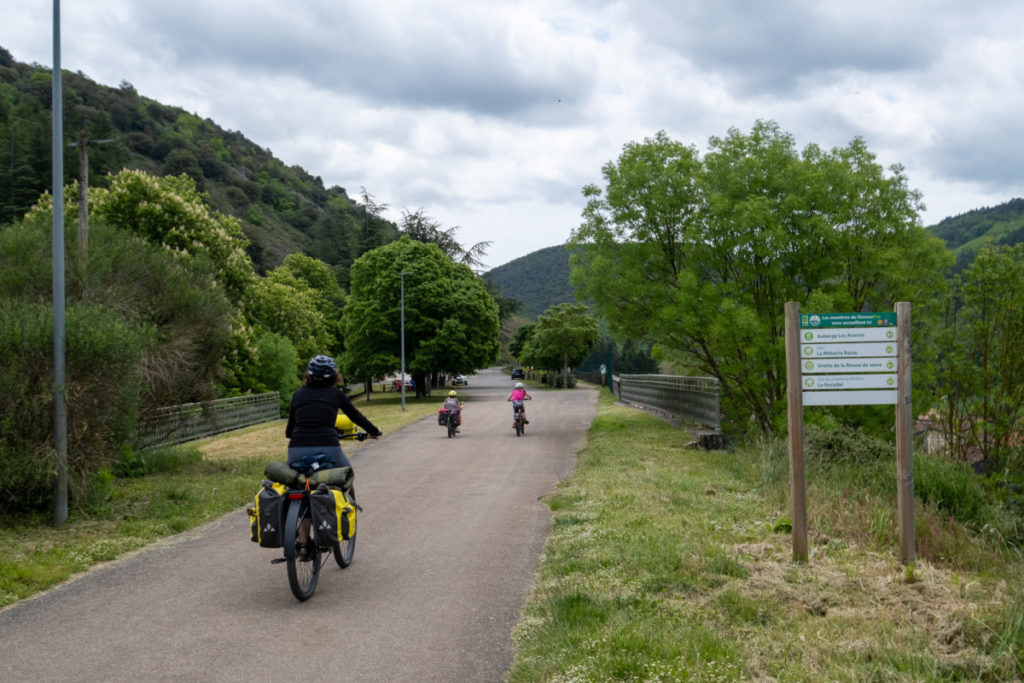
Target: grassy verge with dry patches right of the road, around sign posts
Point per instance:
(667, 564)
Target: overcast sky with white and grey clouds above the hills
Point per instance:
(493, 115)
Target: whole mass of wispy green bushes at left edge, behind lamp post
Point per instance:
(141, 332)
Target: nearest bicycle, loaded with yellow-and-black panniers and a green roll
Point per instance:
(289, 498)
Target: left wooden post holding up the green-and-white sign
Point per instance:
(798, 493)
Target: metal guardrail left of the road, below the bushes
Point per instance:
(178, 424)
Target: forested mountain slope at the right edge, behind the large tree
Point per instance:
(966, 234)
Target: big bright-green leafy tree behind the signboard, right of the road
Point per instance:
(699, 257)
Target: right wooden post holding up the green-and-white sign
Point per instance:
(905, 437)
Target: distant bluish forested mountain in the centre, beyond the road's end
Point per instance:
(539, 280)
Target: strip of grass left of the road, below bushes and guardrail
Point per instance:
(186, 487)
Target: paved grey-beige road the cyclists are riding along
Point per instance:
(447, 551)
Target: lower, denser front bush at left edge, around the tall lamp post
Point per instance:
(104, 397)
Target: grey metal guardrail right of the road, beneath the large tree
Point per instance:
(695, 400)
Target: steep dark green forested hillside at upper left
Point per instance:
(283, 209)
